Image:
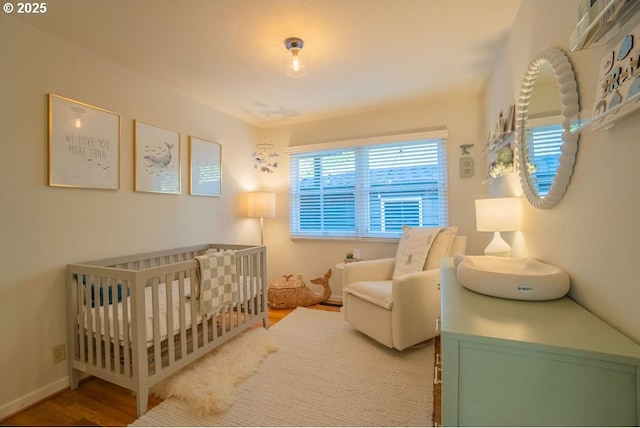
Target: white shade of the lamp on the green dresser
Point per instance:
(498, 214)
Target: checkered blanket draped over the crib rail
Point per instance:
(218, 283)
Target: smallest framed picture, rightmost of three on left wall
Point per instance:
(205, 167)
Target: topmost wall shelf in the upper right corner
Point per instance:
(605, 19)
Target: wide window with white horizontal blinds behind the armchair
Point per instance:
(370, 190)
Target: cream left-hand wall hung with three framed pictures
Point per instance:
(43, 228)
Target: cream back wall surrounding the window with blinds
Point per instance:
(462, 115)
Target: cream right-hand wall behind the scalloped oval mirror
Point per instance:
(594, 233)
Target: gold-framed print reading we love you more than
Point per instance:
(84, 145)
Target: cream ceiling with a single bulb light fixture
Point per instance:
(230, 55)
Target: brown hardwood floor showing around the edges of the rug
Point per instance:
(99, 403)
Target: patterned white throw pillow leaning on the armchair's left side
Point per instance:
(413, 249)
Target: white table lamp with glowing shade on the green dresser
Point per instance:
(498, 215)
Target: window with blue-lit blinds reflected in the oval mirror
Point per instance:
(544, 155)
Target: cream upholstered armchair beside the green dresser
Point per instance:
(398, 311)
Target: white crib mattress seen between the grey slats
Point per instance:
(94, 317)
